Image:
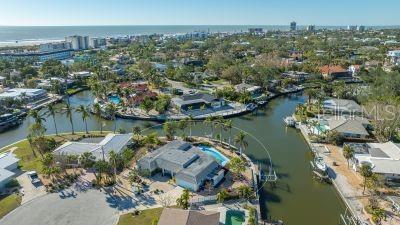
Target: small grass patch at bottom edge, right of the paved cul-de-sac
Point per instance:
(145, 217)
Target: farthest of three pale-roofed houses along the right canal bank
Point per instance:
(341, 107)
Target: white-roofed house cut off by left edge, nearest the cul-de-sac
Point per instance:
(8, 167)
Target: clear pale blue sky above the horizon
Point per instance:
(198, 12)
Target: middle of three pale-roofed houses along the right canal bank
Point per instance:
(350, 128)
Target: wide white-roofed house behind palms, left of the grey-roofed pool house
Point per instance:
(99, 147)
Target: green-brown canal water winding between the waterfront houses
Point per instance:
(296, 198)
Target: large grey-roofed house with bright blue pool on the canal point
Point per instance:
(191, 166)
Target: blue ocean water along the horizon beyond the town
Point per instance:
(31, 35)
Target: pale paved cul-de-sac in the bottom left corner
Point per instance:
(90, 207)
